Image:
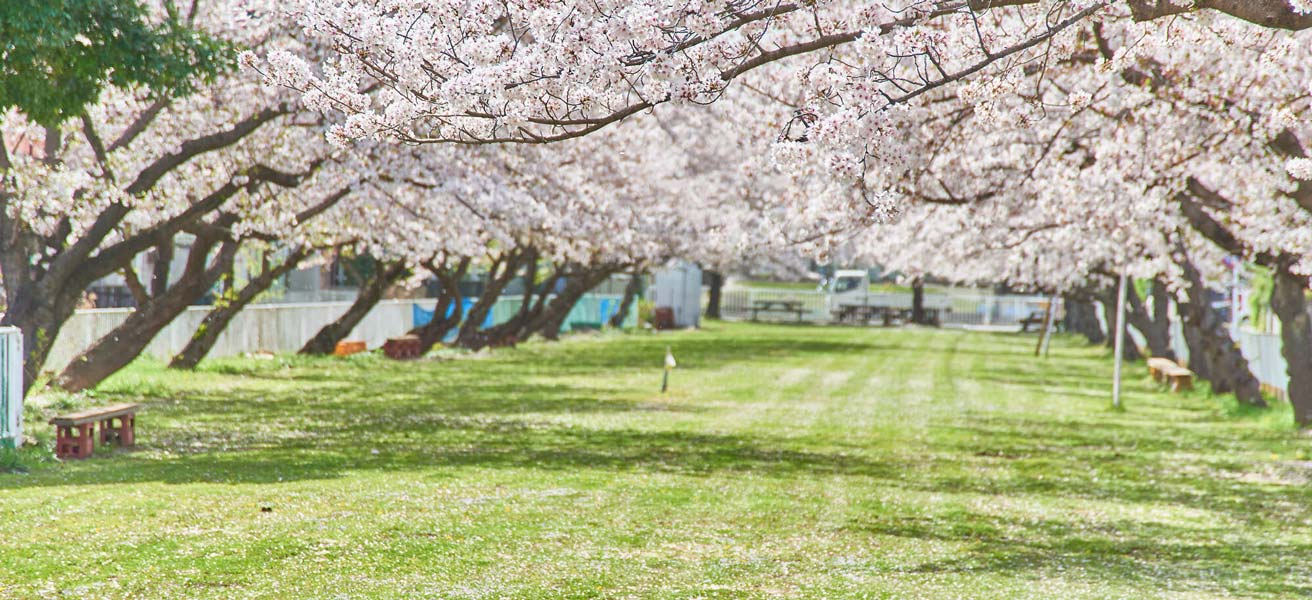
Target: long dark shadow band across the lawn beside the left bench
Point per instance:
(435, 443)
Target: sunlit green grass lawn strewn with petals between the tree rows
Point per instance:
(785, 463)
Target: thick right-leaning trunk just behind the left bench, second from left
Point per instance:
(127, 342)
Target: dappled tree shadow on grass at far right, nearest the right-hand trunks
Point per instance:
(1121, 463)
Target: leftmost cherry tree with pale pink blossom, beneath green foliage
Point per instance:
(136, 171)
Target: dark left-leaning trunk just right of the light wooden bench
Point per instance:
(1227, 366)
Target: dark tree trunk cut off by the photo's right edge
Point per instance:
(1290, 307)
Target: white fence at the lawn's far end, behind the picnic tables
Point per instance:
(965, 309)
